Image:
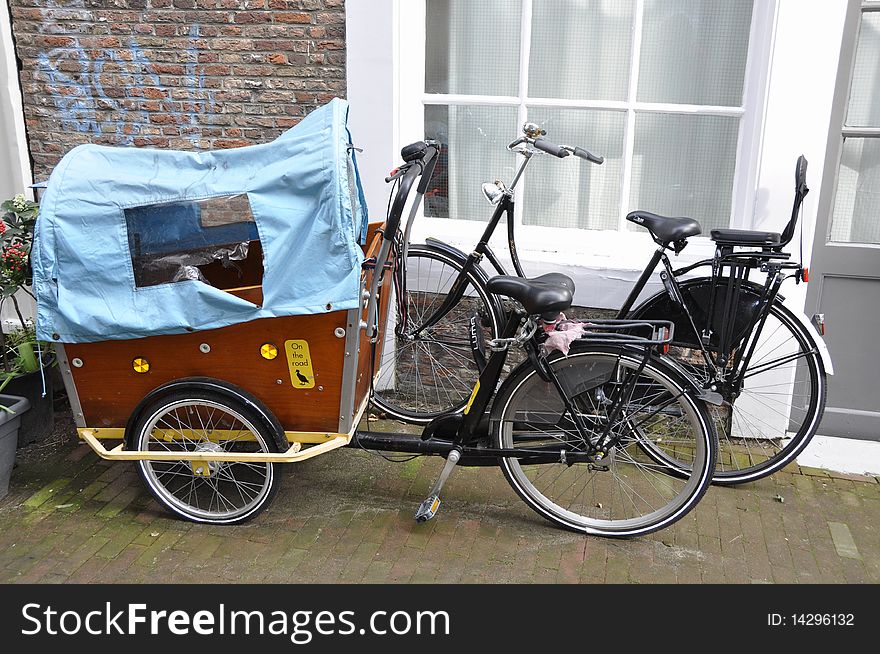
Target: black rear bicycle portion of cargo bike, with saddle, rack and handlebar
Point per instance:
(578, 437)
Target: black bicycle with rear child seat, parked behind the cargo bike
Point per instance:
(763, 365)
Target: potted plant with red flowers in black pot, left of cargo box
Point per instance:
(20, 373)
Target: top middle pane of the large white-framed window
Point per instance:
(580, 49)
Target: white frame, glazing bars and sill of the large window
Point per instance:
(591, 248)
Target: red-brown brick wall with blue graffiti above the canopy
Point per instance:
(184, 74)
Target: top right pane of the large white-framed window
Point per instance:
(694, 51)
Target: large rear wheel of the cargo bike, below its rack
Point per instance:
(618, 402)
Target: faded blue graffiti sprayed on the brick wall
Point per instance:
(85, 95)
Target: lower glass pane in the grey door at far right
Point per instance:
(856, 217)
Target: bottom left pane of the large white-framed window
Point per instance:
(474, 151)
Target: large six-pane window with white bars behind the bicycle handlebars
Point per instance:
(656, 86)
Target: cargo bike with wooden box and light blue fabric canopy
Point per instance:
(223, 312)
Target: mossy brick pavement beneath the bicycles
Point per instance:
(347, 517)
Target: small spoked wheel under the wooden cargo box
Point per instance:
(199, 418)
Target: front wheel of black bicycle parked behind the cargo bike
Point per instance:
(427, 371)
